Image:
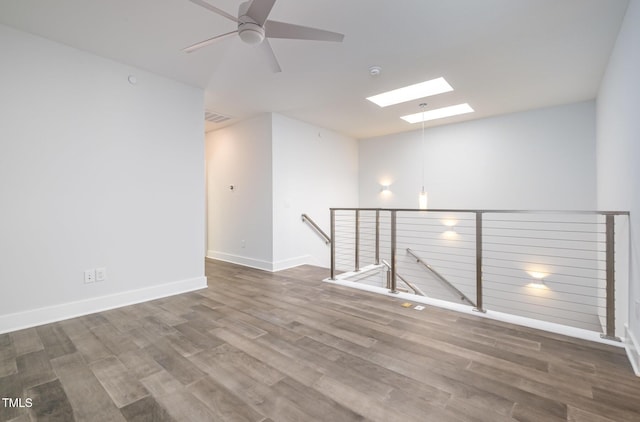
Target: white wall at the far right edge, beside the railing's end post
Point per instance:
(618, 146)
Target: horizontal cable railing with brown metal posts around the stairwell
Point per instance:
(555, 266)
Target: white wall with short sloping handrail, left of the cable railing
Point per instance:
(314, 169)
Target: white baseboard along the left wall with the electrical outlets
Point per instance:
(46, 315)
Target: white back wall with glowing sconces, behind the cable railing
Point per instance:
(543, 159)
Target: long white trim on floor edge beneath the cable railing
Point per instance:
(500, 316)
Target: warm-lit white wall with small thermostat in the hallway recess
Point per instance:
(240, 222)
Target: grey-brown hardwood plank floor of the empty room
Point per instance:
(257, 346)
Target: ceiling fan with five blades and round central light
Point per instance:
(255, 28)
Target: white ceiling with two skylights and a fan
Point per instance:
(500, 56)
